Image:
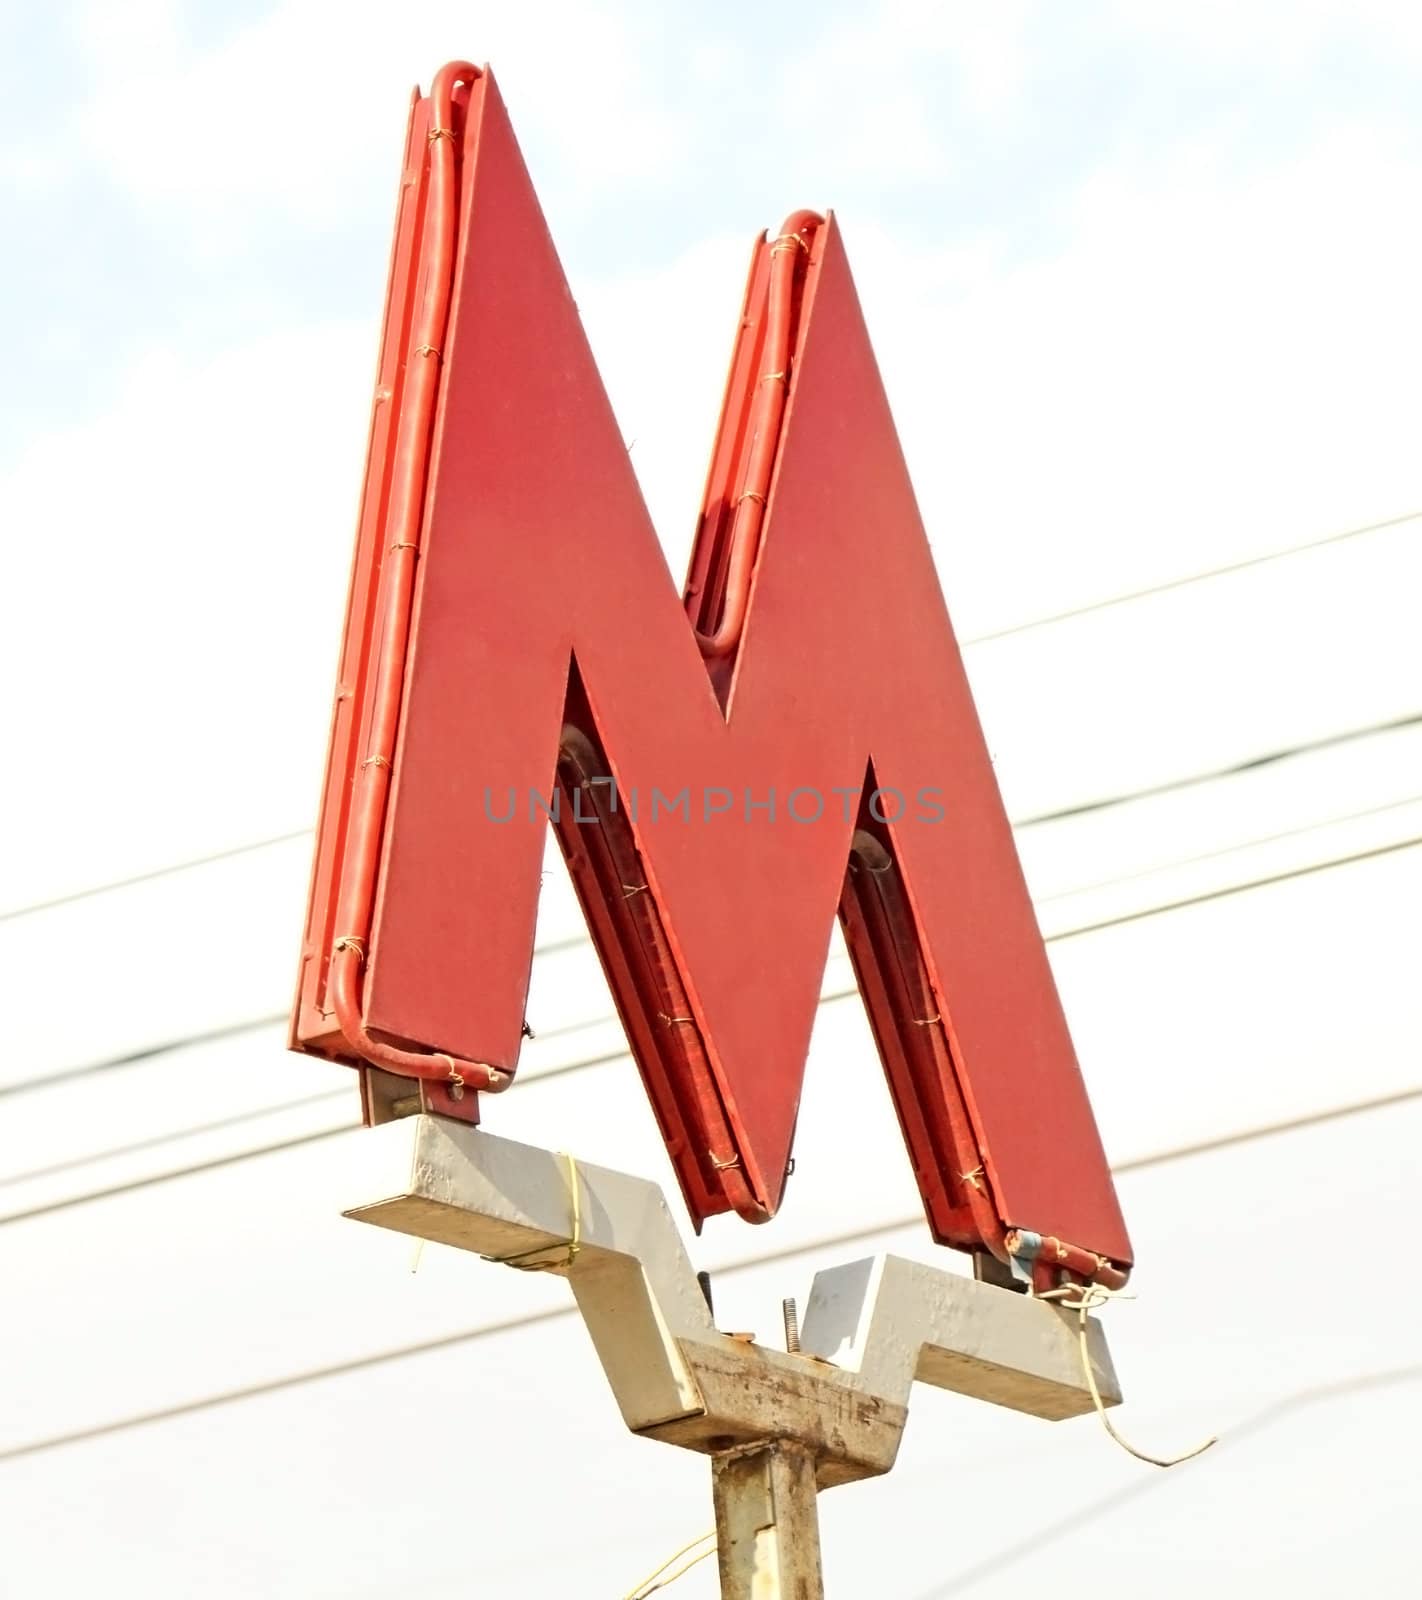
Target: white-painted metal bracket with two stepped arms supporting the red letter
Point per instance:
(869, 1330)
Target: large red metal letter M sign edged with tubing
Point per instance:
(727, 770)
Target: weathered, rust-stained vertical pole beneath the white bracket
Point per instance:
(767, 1522)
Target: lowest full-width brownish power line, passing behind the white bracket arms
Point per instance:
(535, 1319)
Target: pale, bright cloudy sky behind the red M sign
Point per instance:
(1143, 281)
